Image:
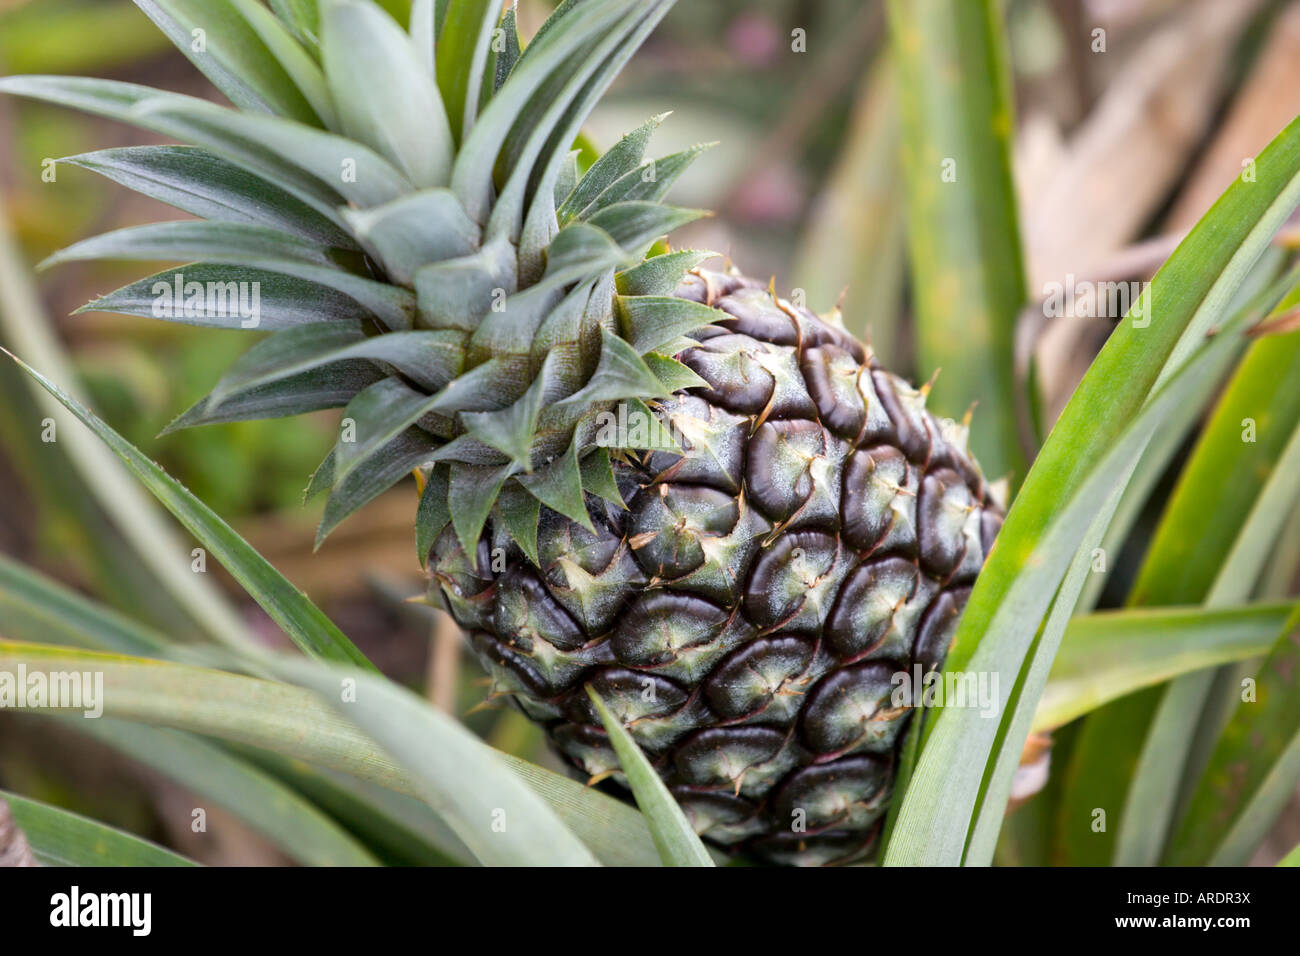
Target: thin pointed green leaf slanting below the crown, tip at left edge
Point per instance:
(305, 624)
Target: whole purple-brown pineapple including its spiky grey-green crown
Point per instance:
(638, 475)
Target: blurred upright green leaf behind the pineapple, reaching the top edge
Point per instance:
(965, 237)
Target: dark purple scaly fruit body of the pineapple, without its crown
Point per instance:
(747, 615)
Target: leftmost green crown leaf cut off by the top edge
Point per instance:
(229, 53)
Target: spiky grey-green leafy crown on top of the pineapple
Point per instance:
(406, 204)
